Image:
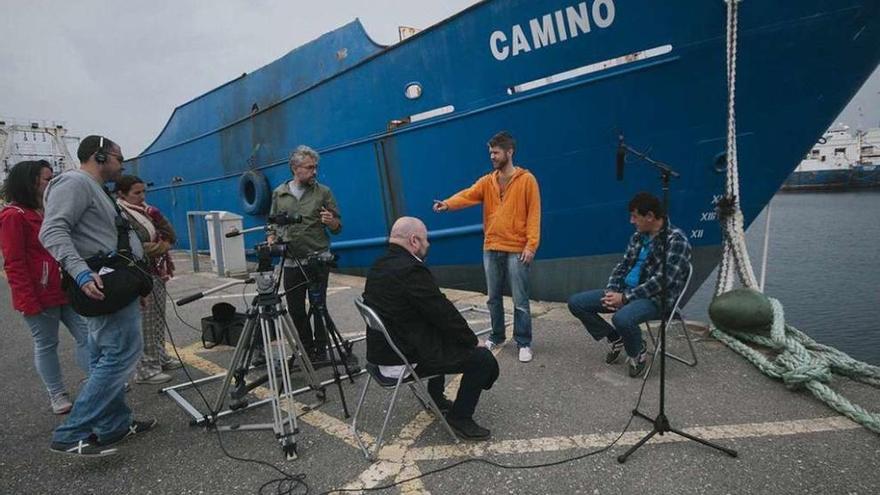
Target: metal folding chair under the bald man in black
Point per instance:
(409, 377)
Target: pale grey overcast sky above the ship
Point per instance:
(120, 67)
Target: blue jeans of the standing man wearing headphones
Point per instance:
(116, 343)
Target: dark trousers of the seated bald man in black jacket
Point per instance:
(479, 370)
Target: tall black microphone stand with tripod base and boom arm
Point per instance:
(661, 421)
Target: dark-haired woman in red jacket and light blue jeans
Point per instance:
(35, 278)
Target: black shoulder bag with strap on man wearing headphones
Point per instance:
(125, 278)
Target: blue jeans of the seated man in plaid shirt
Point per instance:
(625, 323)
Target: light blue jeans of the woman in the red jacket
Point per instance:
(44, 328)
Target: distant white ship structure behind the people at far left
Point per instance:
(34, 140)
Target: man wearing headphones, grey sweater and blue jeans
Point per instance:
(80, 223)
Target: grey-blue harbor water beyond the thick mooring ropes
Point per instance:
(823, 267)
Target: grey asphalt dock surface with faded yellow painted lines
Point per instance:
(564, 404)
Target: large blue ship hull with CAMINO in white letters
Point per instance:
(484, 68)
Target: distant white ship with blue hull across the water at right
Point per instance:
(841, 160)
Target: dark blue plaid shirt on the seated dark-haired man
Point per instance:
(677, 259)
